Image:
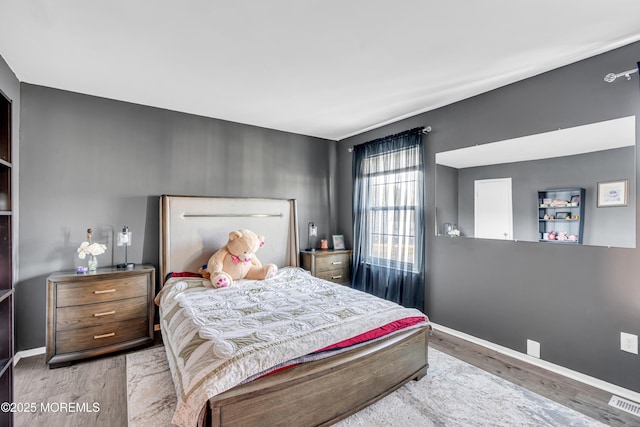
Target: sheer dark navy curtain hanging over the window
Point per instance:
(388, 218)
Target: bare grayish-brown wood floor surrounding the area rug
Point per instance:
(103, 381)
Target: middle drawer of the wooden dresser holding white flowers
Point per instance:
(83, 316)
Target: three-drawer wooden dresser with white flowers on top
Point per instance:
(98, 313)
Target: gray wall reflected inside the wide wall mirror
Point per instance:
(602, 226)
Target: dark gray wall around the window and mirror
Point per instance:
(574, 300)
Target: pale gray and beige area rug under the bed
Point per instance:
(454, 393)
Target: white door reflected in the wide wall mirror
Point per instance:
(493, 213)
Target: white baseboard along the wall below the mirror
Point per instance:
(585, 379)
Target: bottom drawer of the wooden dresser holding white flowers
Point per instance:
(74, 340)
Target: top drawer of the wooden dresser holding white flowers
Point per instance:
(70, 294)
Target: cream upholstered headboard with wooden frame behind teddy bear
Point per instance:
(192, 228)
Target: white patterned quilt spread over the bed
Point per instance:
(217, 338)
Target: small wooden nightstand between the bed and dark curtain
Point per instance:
(328, 264)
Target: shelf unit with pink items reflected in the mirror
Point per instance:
(561, 216)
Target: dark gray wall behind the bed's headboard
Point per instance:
(89, 162)
